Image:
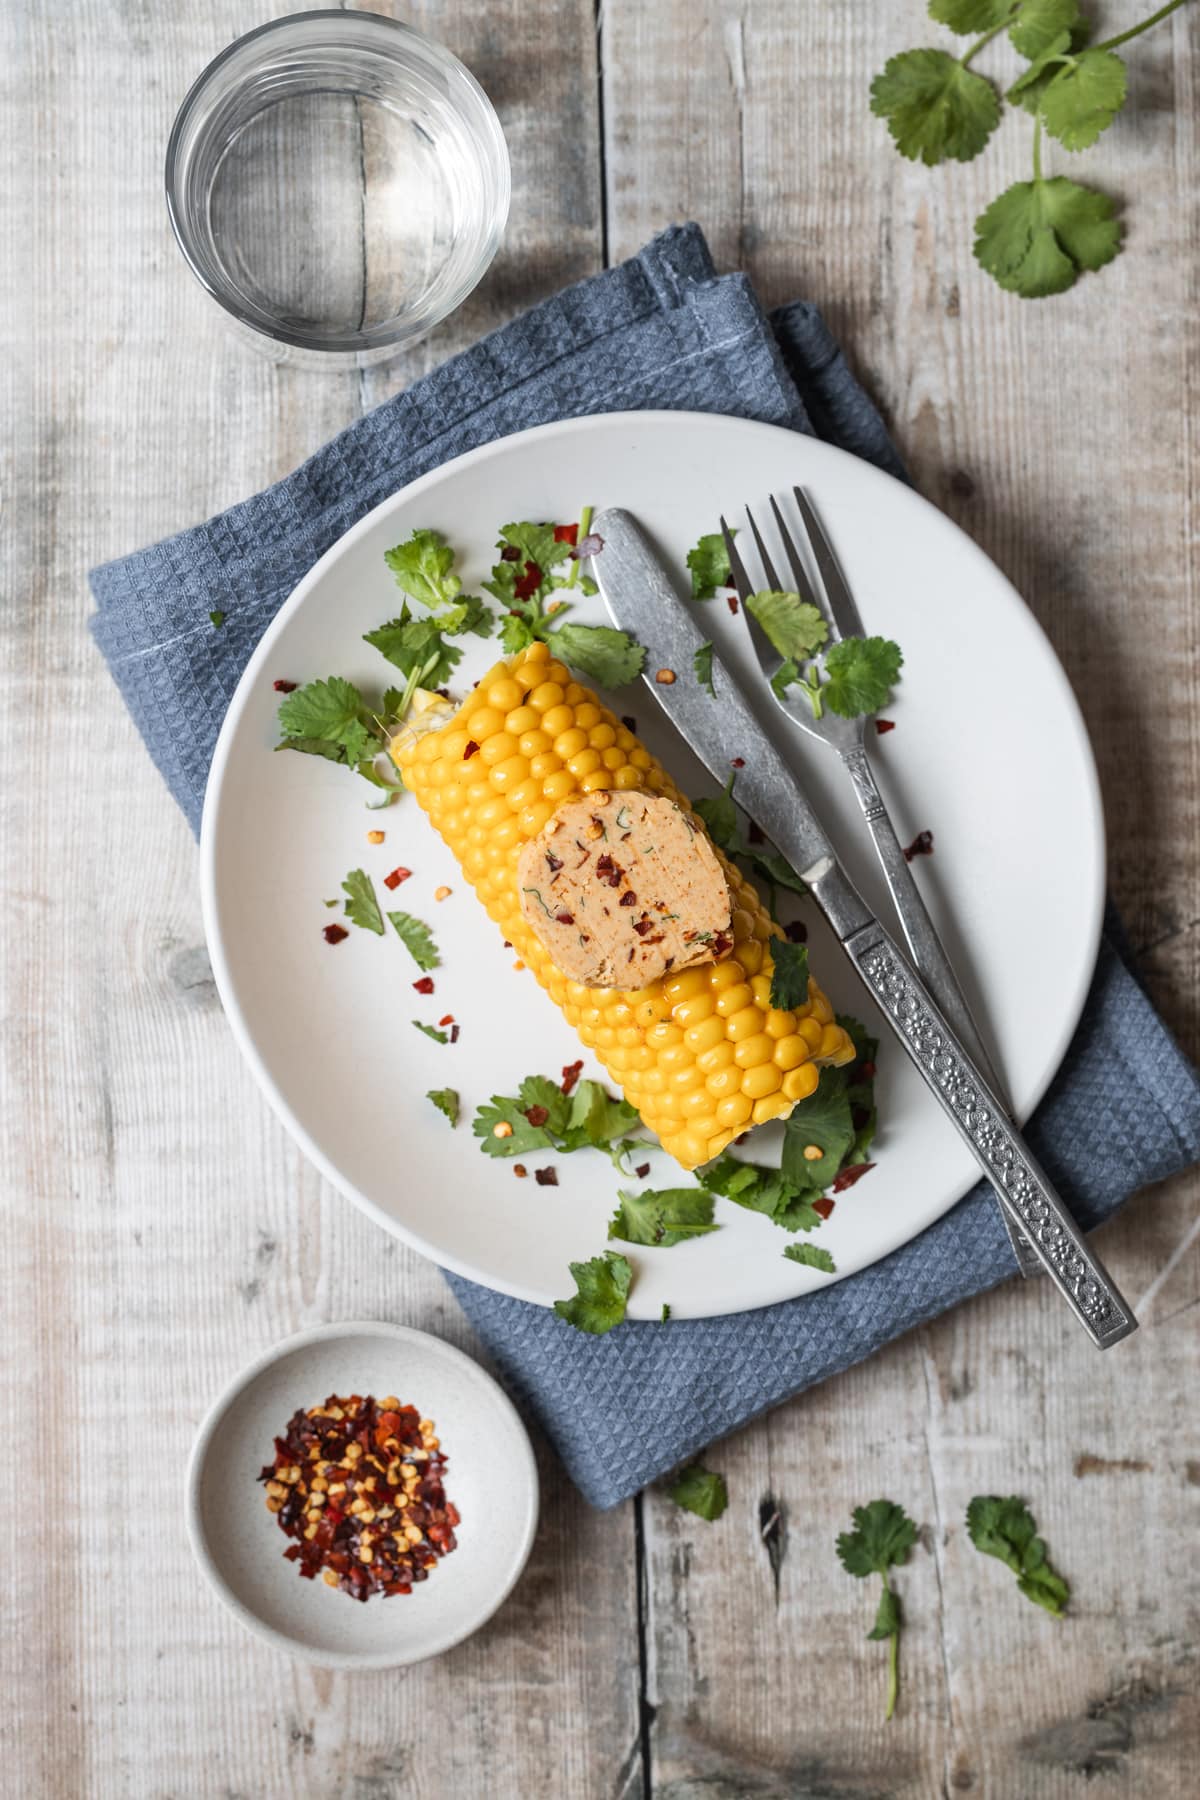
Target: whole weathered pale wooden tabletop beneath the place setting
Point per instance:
(161, 1228)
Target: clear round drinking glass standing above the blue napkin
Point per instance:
(339, 184)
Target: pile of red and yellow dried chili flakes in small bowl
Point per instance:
(359, 1486)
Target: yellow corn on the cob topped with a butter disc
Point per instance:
(701, 1054)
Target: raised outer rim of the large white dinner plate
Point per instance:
(1089, 928)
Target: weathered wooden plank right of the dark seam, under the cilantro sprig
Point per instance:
(1059, 435)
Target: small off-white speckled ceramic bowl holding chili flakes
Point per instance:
(492, 1479)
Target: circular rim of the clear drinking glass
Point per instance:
(382, 339)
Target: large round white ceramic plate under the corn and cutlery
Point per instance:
(990, 753)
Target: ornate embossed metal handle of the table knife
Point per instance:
(983, 1124)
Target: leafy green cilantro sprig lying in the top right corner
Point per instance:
(1037, 237)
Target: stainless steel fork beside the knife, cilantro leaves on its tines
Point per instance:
(846, 739)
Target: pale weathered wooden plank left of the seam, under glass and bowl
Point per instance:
(159, 1227)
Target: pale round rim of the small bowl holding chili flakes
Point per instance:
(231, 1597)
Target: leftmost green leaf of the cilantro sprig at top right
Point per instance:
(935, 107)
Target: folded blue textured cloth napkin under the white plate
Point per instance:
(658, 332)
